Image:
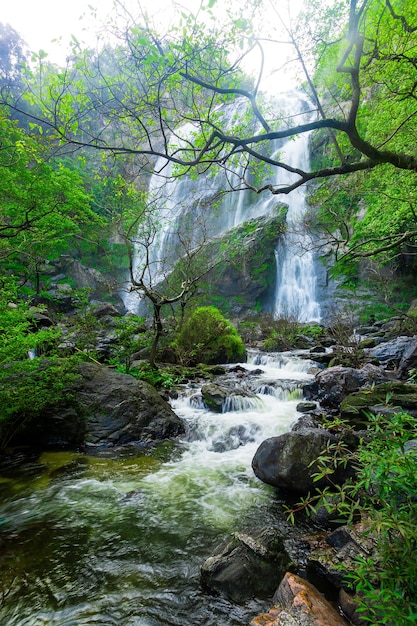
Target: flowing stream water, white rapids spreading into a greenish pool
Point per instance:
(119, 540)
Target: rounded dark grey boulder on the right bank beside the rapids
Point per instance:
(289, 461)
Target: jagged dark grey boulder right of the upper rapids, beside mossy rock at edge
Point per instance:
(333, 384)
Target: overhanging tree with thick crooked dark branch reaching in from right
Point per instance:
(173, 77)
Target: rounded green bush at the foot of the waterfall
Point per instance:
(208, 337)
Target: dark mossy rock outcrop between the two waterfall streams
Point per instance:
(245, 280)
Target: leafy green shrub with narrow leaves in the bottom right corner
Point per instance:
(389, 479)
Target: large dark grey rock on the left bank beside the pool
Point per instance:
(105, 409)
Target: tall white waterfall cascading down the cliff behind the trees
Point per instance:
(201, 207)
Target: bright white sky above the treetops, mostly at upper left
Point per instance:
(40, 22)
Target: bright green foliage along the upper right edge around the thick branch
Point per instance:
(370, 214)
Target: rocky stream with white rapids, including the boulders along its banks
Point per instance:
(151, 512)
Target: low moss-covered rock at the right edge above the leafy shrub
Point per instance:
(392, 396)
